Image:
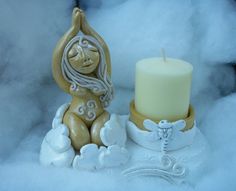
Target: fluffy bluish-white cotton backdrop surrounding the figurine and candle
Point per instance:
(201, 32)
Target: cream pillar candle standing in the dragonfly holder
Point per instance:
(162, 88)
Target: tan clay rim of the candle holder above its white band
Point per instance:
(137, 118)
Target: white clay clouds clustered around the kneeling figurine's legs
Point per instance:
(56, 148)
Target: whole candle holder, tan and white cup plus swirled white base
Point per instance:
(174, 147)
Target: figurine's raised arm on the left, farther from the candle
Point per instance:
(58, 52)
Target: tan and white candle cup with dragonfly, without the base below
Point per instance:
(147, 132)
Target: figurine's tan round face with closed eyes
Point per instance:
(83, 59)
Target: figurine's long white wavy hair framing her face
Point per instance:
(102, 84)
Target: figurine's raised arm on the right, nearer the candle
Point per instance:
(88, 30)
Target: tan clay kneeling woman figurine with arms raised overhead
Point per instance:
(82, 68)
